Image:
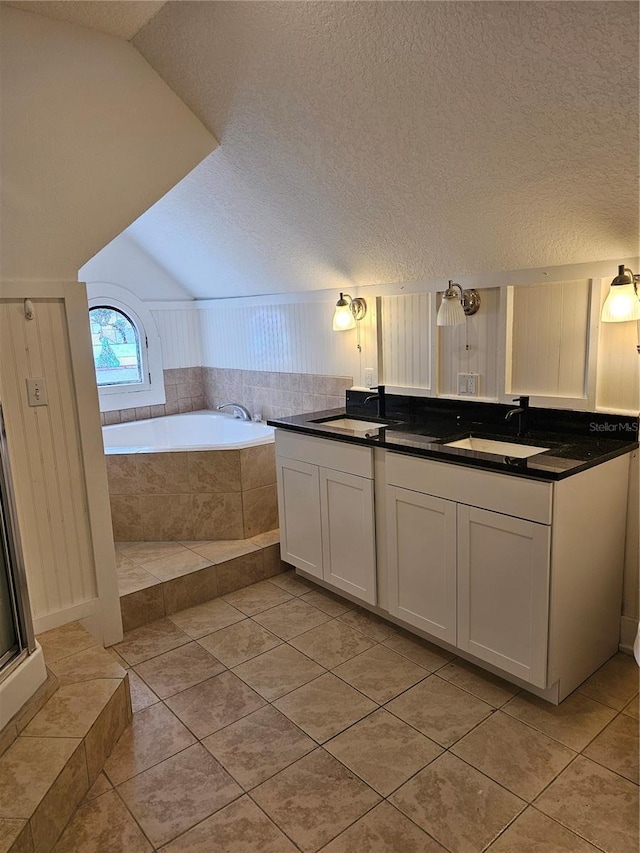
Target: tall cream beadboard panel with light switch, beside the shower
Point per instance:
(44, 445)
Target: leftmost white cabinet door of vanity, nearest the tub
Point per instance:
(299, 510)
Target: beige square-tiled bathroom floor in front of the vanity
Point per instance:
(281, 718)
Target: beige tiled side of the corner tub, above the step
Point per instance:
(193, 495)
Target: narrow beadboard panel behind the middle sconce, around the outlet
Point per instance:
(482, 334)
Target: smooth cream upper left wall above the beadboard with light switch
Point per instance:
(90, 138)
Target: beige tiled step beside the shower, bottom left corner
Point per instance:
(52, 753)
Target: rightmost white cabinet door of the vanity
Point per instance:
(503, 591)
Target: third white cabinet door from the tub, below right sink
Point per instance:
(421, 534)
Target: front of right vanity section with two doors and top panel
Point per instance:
(474, 577)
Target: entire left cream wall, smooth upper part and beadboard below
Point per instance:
(90, 137)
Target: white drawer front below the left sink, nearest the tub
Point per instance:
(336, 455)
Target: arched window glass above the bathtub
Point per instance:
(116, 347)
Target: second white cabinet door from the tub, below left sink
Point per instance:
(348, 533)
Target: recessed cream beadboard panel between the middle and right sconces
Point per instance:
(550, 339)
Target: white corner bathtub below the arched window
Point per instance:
(193, 431)
